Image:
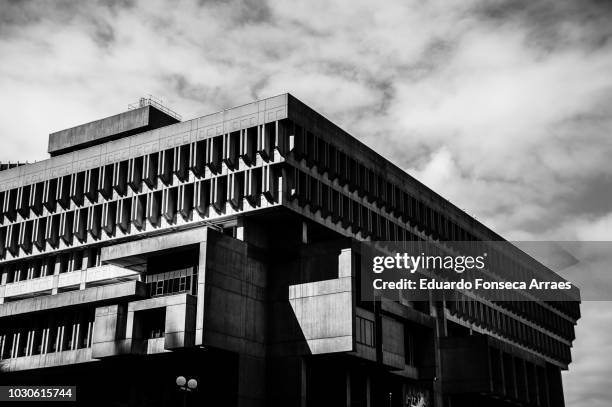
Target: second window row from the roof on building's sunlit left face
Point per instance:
(90, 222)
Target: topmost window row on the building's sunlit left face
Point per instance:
(149, 170)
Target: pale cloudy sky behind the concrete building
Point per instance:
(504, 107)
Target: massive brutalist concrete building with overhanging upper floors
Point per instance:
(226, 249)
